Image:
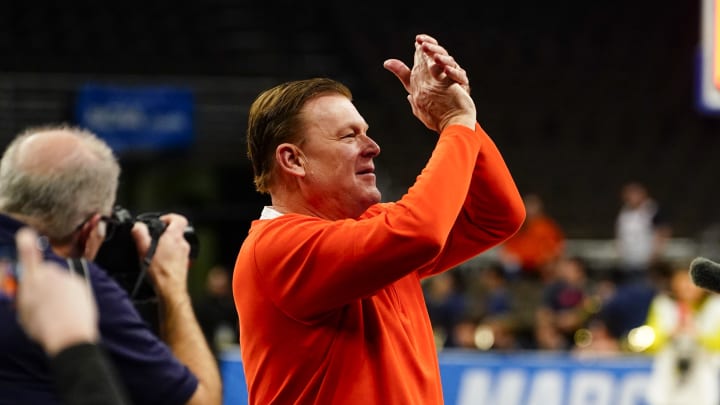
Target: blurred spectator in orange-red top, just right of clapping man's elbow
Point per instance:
(538, 243)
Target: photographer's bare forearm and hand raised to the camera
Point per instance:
(178, 326)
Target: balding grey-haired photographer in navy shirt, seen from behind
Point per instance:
(62, 182)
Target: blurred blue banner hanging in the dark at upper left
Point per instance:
(137, 118)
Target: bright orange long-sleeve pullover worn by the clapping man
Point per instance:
(332, 312)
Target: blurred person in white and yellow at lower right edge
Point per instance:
(685, 339)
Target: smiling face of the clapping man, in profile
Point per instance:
(339, 179)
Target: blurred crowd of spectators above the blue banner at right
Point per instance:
(535, 295)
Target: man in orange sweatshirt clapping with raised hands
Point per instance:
(327, 282)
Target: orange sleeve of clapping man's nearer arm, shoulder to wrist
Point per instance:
(310, 265)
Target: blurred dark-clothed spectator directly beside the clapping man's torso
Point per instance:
(446, 305)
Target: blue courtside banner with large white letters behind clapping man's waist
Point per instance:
(532, 378)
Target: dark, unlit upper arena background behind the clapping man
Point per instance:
(579, 96)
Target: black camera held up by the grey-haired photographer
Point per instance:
(119, 257)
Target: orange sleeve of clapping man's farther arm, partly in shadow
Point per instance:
(492, 212)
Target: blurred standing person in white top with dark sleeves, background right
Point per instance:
(642, 232)
